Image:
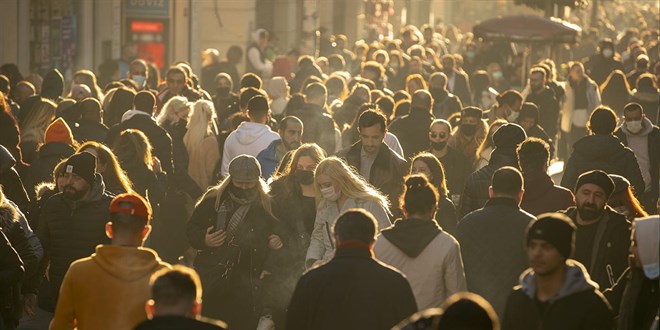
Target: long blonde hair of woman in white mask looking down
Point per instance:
(350, 183)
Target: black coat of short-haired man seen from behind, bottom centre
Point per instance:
(352, 291)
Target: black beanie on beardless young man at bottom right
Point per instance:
(556, 229)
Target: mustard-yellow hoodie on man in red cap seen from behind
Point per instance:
(116, 296)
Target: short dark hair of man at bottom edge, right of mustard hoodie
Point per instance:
(172, 287)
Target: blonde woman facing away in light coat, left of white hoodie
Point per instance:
(201, 143)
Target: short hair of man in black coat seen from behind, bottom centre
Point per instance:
(356, 225)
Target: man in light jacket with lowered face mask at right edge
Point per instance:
(640, 135)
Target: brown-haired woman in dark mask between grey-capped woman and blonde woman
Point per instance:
(294, 204)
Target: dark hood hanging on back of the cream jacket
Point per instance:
(412, 236)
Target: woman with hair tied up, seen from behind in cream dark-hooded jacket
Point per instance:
(418, 247)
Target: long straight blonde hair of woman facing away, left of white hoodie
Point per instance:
(200, 126)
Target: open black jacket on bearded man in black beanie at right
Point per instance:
(611, 258)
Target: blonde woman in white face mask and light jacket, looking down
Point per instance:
(339, 188)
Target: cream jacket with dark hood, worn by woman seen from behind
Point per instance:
(429, 257)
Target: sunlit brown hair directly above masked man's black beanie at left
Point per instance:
(115, 179)
